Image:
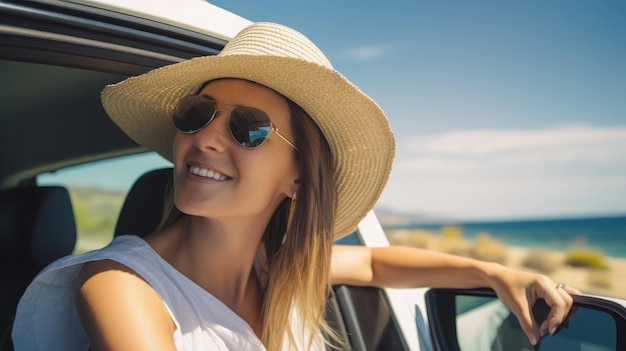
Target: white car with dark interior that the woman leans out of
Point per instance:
(55, 58)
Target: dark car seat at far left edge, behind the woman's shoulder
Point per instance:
(36, 227)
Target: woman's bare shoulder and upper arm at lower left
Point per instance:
(120, 311)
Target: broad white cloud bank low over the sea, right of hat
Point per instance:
(506, 173)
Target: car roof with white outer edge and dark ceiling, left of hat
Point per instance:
(55, 58)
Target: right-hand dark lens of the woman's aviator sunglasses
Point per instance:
(249, 126)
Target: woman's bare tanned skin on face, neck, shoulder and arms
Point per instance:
(216, 245)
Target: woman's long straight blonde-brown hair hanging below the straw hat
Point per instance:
(297, 269)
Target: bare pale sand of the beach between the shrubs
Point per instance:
(610, 282)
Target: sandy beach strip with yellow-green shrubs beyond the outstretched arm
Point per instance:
(580, 265)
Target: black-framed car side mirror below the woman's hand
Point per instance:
(476, 320)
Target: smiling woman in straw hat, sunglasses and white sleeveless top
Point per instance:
(275, 156)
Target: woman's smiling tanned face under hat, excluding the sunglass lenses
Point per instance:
(244, 182)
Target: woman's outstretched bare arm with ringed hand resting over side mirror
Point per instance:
(405, 267)
